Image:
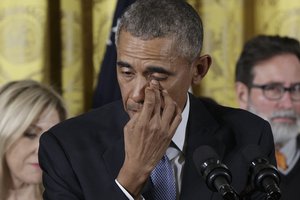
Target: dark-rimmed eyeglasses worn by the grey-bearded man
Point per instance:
(276, 91)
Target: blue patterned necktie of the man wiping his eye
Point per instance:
(163, 181)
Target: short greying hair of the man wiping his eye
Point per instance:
(149, 19)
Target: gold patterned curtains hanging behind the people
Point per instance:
(64, 42)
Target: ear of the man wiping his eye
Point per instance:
(200, 68)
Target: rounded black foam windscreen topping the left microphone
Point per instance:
(204, 153)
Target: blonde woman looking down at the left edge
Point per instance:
(27, 109)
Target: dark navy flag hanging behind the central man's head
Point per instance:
(107, 89)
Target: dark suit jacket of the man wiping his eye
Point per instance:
(81, 157)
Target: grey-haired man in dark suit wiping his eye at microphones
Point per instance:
(112, 152)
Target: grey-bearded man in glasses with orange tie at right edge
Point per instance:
(268, 84)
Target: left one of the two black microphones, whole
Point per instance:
(216, 175)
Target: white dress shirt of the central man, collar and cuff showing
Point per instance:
(174, 152)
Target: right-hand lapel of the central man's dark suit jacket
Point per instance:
(201, 130)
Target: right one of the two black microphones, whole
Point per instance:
(264, 176)
